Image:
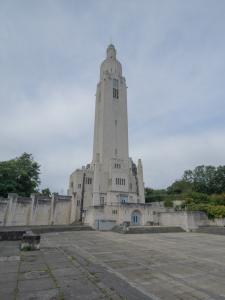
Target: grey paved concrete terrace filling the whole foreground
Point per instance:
(106, 265)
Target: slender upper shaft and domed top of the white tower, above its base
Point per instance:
(111, 128)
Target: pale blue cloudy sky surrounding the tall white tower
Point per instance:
(173, 58)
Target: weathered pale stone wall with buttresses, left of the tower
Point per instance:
(35, 210)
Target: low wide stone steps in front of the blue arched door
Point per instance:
(146, 229)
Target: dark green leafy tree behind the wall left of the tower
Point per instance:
(19, 175)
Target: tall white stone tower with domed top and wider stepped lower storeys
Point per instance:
(112, 178)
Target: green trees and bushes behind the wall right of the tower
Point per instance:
(202, 188)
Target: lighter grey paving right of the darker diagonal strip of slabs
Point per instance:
(161, 266)
